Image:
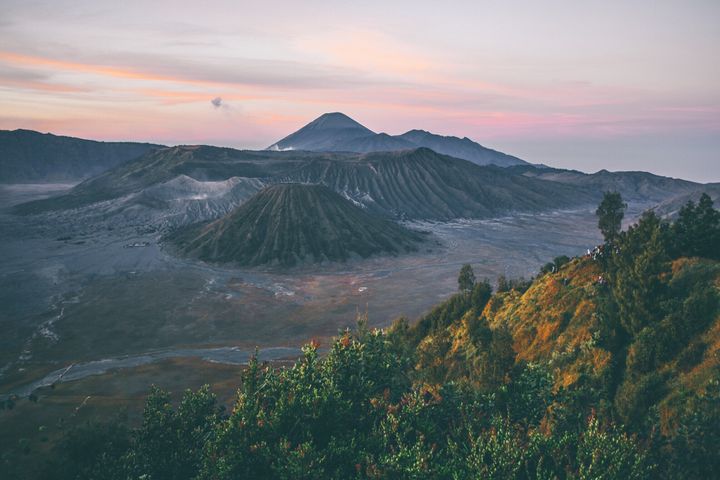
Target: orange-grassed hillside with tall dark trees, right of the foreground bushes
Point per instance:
(636, 324)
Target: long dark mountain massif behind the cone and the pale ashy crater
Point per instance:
(413, 184)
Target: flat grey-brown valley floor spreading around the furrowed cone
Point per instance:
(73, 292)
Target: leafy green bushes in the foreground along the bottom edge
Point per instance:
(357, 413)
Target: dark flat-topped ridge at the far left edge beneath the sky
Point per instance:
(28, 156)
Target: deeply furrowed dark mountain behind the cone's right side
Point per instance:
(422, 184)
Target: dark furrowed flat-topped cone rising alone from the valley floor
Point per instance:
(287, 224)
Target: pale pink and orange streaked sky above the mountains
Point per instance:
(620, 85)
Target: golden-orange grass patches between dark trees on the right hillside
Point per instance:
(558, 320)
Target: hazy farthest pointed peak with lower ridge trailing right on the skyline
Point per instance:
(336, 132)
